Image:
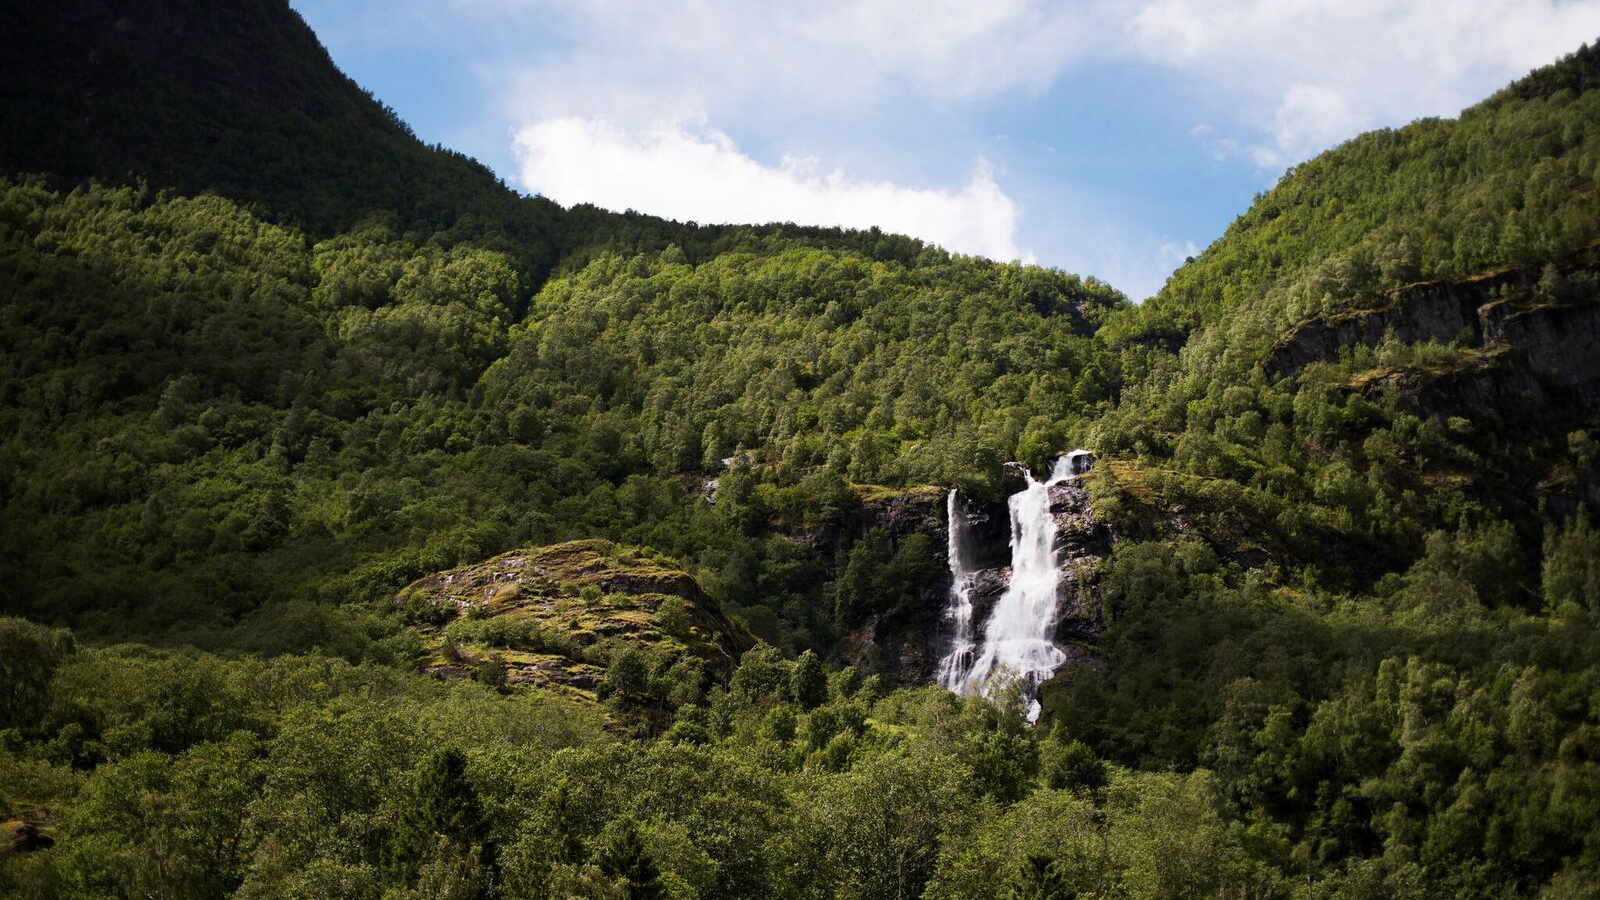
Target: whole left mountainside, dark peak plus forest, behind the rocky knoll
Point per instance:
(303, 356)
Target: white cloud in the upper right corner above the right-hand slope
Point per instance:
(1308, 74)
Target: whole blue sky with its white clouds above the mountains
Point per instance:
(1105, 137)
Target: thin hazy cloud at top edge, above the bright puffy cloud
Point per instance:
(719, 57)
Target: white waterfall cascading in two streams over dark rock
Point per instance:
(1018, 635)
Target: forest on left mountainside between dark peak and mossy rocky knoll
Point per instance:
(286, 422)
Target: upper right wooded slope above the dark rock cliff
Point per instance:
(1511, 182)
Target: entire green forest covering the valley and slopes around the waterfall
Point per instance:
(268, 404)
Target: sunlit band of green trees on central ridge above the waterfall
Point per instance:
(881, 371)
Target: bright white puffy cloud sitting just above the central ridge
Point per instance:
(697, 174)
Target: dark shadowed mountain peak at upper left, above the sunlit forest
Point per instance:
(236, 98)
